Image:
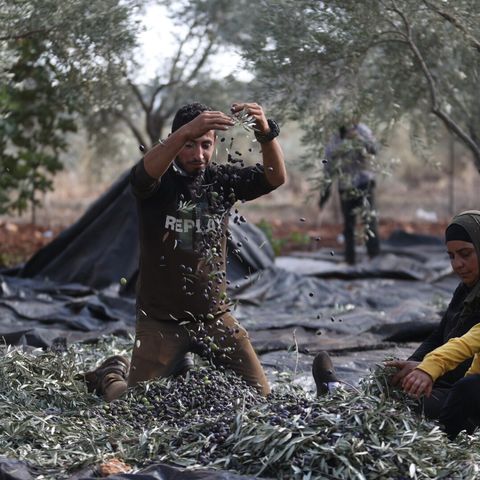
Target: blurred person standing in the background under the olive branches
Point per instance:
(347, 156)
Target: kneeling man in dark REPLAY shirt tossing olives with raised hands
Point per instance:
(184, 201)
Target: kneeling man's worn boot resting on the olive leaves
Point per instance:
(113, 369)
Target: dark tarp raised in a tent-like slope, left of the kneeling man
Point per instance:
(98, 249)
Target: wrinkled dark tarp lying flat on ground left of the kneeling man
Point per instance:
(37, 313)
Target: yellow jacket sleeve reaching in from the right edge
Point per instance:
(455, 351)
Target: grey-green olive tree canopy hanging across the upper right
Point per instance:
(383, 59)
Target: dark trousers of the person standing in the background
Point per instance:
(352, 200)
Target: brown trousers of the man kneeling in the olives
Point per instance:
(161, 349)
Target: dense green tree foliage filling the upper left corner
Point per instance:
(56, 59)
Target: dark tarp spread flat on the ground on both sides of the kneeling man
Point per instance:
(275, 305)
